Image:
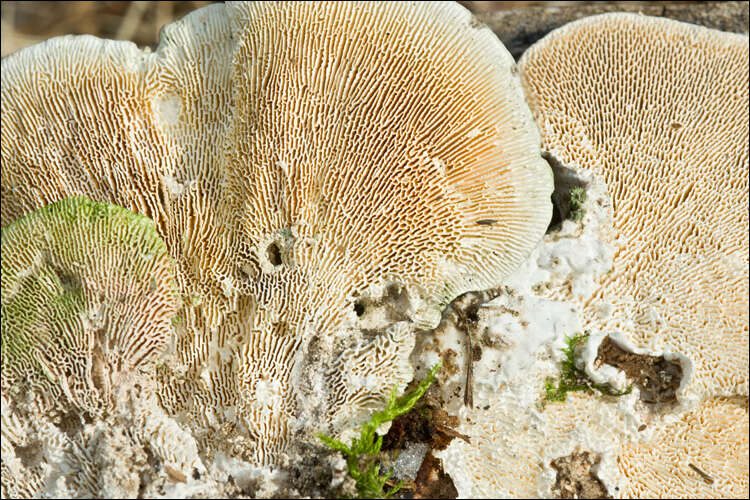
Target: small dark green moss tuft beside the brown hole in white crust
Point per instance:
(574, 379)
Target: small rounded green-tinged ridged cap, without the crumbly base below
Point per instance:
(88, 295)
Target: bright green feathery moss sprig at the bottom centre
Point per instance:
(361, 455)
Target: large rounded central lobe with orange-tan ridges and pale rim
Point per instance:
(383, 142)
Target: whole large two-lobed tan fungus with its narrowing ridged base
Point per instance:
(297, 159)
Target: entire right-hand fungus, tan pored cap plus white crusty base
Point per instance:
(656, 112)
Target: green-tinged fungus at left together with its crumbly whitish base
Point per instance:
(88, 299)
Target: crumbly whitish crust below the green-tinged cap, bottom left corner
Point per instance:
(135, 451)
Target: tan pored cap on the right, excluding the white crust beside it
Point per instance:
(659, 110)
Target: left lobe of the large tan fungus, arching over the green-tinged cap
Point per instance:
(102, 119)
